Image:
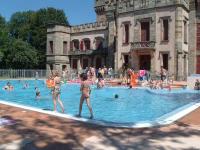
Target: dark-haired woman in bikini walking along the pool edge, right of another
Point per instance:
(85, 89)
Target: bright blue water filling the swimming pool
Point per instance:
(133, 105)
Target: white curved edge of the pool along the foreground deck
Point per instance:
(164, 120)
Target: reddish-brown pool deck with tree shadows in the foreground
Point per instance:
(36, 131)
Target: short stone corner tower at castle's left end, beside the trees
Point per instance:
(58, 45)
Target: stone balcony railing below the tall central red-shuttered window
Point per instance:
(143, 45)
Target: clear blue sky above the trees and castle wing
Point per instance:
(77, 11)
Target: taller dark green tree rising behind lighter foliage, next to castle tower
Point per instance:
(31, 26)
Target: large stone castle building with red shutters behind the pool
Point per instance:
(142, 34)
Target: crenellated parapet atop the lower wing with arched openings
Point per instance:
(89, 27)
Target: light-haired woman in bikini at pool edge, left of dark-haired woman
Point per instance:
(56, 92)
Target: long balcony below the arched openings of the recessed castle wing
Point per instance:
(88, 52)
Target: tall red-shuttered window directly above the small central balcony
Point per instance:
(145, 31)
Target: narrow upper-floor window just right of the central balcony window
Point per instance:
(165, 30)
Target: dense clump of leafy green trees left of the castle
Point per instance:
(23, 38)
